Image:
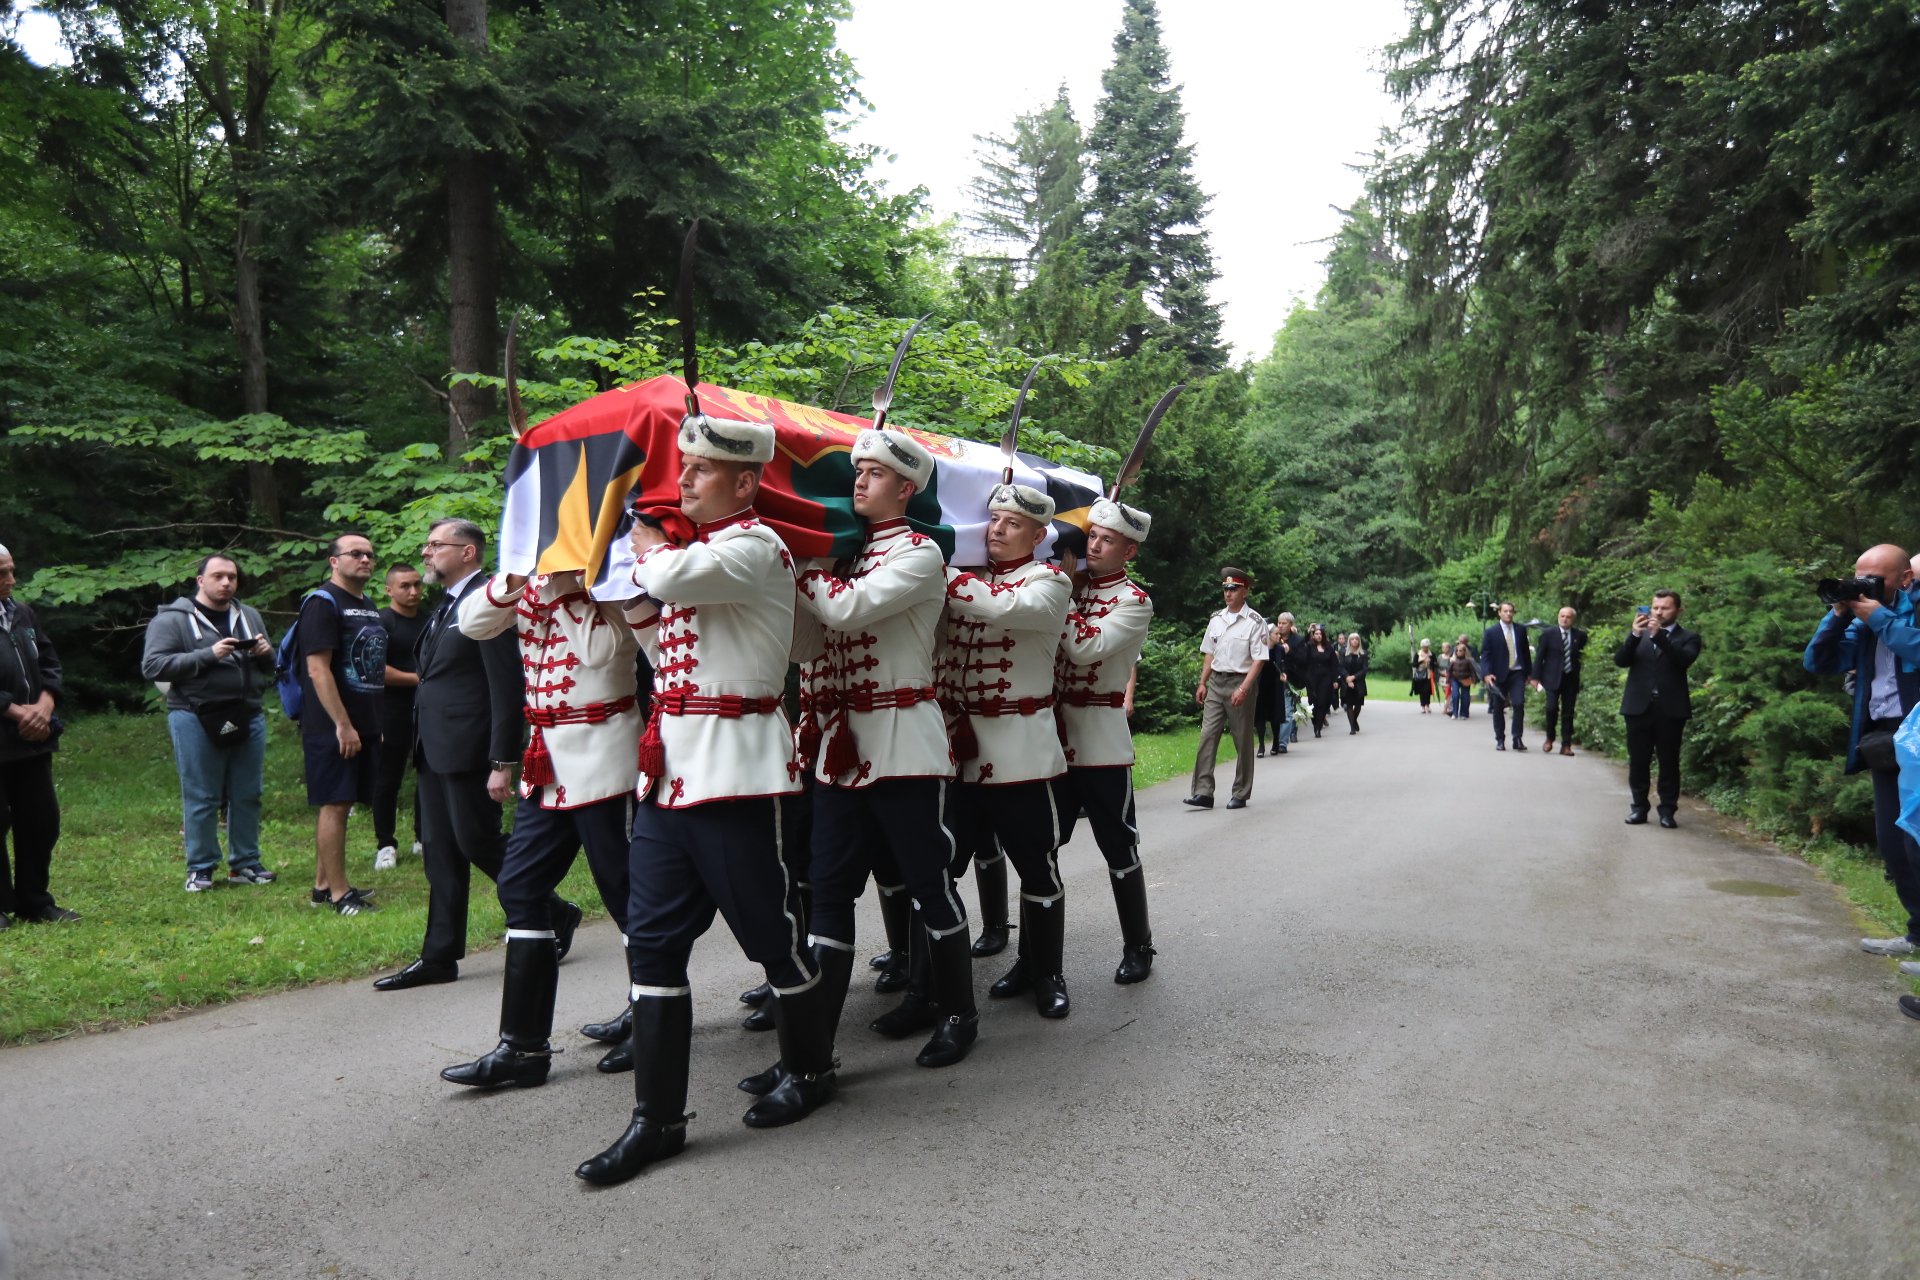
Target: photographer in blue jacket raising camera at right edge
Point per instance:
(1871, 632)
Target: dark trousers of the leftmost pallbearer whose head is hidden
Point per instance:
(542, 851)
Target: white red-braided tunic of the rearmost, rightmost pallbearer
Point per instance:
(1103, 642)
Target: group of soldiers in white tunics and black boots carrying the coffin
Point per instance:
(948, 717)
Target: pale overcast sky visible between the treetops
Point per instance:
(1282, 99)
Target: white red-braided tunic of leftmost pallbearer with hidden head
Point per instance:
(579, 661)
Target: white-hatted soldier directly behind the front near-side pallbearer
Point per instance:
(886, 763)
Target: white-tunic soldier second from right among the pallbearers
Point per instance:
(1003, 636)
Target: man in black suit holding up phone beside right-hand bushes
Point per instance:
(1656, 653)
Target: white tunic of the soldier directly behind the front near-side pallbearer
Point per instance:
(876, 673)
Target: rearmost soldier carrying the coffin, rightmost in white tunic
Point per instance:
(1099, 650)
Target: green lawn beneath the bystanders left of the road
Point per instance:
(147, 947)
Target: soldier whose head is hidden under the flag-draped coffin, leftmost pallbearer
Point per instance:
(577, 784)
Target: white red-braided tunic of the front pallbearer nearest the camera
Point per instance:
(721, 665)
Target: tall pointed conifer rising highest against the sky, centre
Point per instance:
(1145, 208)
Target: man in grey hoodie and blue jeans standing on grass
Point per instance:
(214, 657)
